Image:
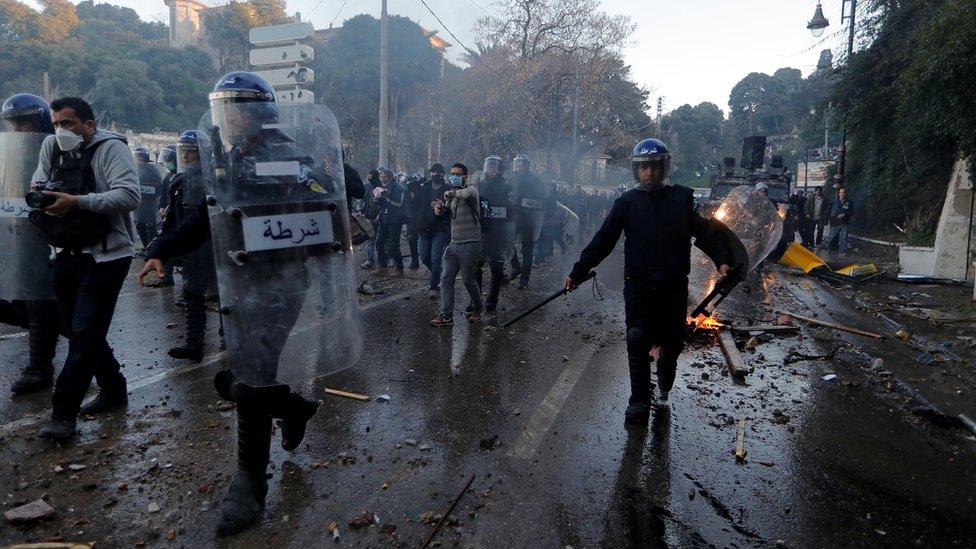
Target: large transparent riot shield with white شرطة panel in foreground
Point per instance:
(280, 231)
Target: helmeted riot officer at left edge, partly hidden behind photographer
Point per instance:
(28, 116)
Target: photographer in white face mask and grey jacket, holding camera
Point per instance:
(85, 189)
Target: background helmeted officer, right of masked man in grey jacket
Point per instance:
(531, 195)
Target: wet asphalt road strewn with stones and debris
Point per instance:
(535, 414)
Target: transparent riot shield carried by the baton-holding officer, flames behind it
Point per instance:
(751, 217)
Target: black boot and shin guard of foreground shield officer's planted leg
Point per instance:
(244, 502)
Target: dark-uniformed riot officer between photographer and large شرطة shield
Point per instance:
(199, 277)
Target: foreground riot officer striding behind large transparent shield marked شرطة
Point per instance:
(263, 291)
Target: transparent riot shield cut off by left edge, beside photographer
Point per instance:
(26, 272)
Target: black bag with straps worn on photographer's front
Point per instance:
(78, 229)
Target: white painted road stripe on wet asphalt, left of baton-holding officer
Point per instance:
(541, 422)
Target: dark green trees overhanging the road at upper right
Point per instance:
(906, 96)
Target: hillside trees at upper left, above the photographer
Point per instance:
(108, 55)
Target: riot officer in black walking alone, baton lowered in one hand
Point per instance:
(659, 221)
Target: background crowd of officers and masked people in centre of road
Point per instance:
(457, 223)
